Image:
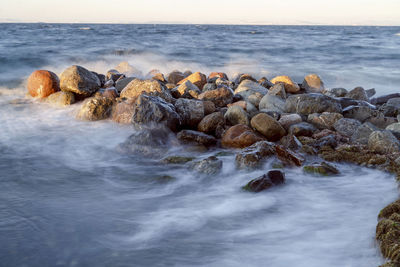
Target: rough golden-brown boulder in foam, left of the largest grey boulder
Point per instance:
(95, 108)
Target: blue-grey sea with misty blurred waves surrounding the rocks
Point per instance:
(69, 197)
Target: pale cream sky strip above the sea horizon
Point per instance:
(298, 12)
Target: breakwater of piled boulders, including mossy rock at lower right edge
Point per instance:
(300, 125)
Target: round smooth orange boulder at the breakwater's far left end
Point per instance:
(43, 83)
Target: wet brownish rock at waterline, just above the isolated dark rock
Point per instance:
(253, 156)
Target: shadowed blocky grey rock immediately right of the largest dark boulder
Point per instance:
(190, 111)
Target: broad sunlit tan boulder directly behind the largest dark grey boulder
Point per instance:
(152, 87)
